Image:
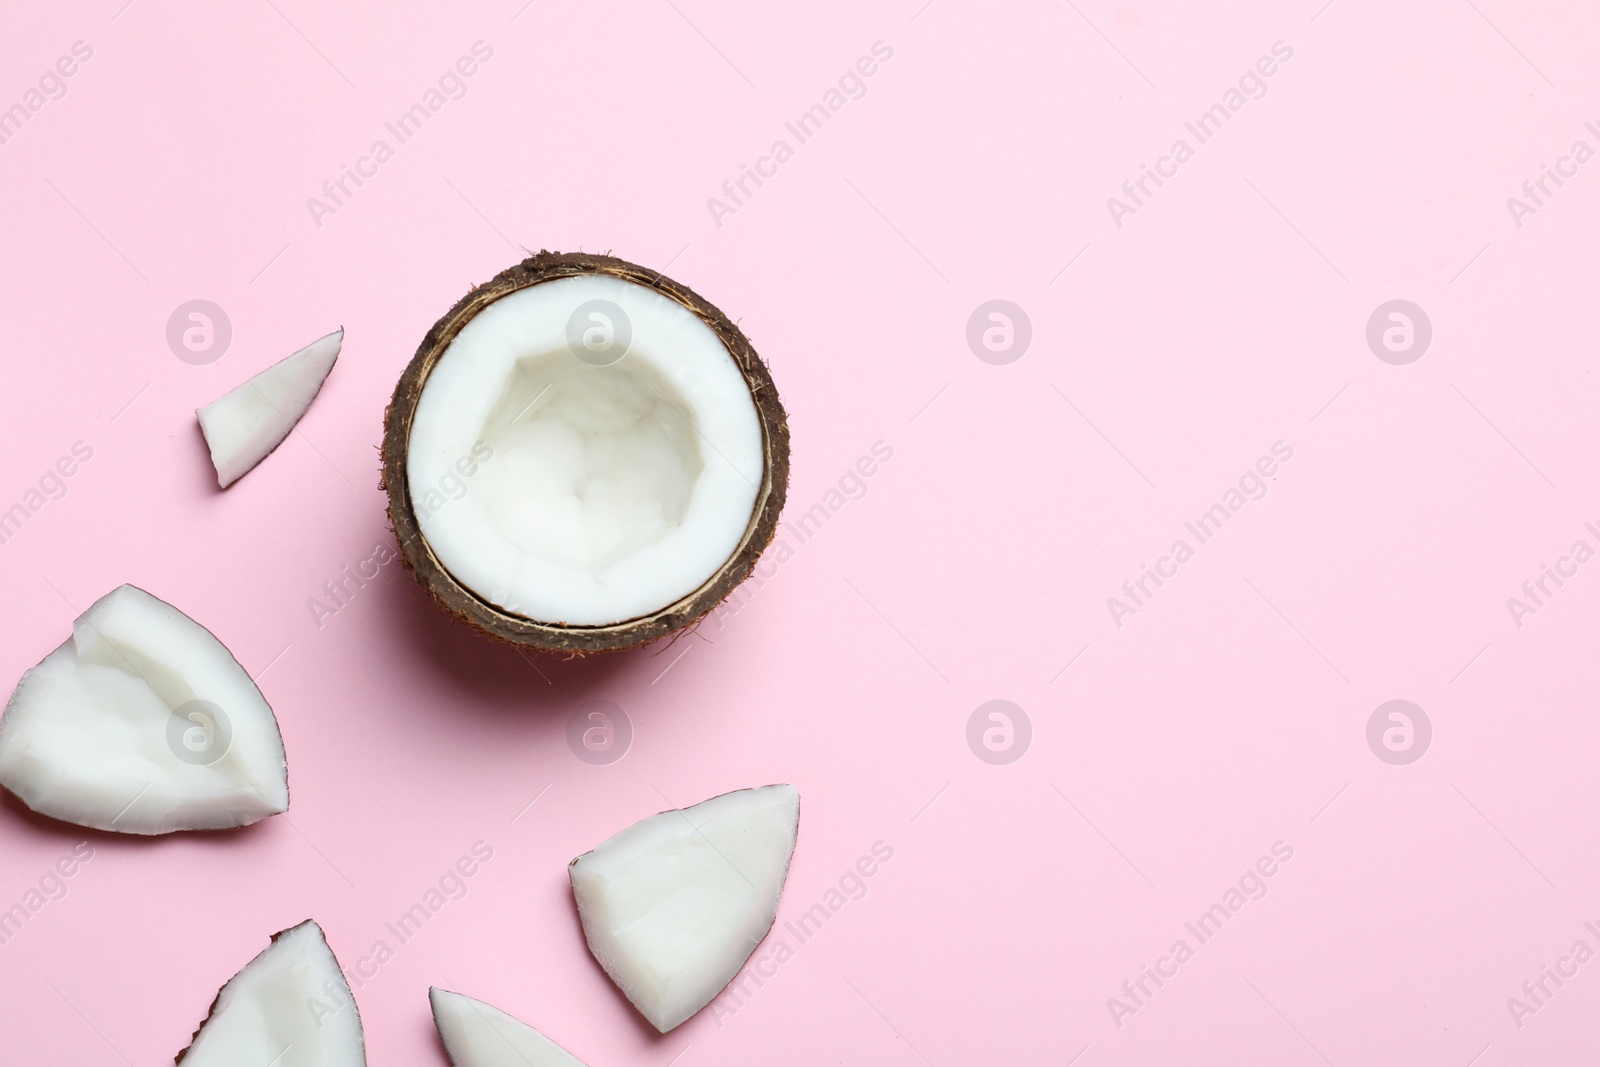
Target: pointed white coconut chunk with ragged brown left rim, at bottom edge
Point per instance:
(290, 1007)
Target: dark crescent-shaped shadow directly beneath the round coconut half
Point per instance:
(494, 676)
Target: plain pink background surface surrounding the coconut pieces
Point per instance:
(1228, 314)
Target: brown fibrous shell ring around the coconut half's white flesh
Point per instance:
(546, 634)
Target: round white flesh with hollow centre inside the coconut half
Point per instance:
(585, 486)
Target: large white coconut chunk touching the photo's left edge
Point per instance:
(143, 724)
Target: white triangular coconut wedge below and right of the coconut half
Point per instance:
(678, 903)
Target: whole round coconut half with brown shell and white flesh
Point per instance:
(585, 455)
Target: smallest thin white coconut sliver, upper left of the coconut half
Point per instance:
(247, 425)
